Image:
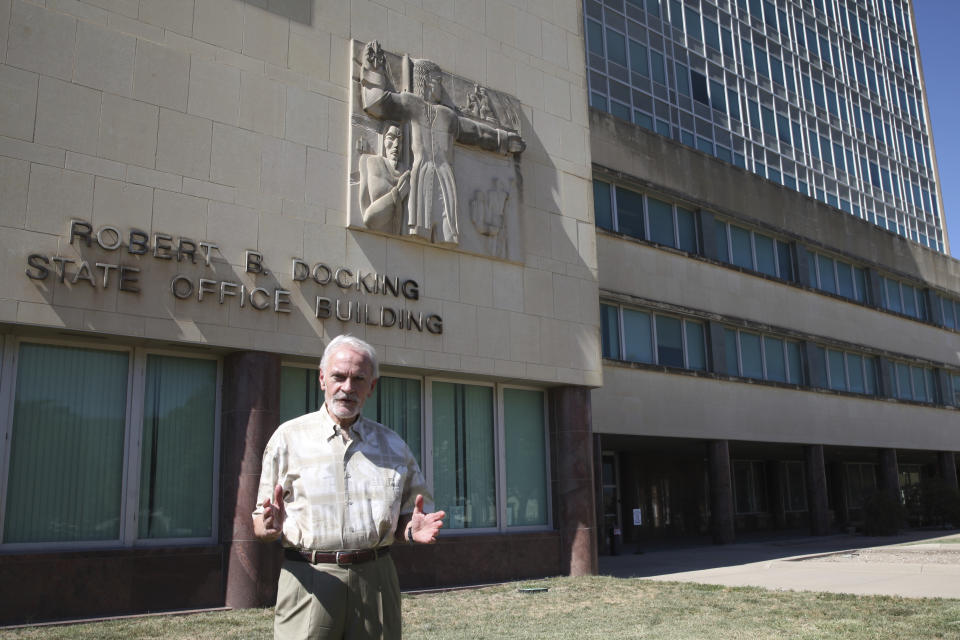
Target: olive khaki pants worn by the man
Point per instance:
(329, 602)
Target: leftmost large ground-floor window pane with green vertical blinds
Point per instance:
(69, 416)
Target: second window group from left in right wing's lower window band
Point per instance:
(762, 357)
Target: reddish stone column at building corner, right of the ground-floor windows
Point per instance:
(573, 494)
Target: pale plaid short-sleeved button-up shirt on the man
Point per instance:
(339, 495)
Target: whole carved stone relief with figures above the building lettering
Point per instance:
(421, 126)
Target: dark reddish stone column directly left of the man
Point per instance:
(249, 416)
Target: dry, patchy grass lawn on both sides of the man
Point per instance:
(590, 608)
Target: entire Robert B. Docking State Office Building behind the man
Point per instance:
(611, 303)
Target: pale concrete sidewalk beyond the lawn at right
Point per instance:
(839, 564)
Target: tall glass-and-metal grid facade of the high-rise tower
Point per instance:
(825, 97)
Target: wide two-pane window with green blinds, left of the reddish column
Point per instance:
(71, 411)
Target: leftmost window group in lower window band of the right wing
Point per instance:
(654, 338)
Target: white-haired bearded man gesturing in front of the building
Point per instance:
(337, 489)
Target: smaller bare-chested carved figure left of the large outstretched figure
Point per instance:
(383, 187)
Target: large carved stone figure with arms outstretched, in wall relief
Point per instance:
(434, 127)
